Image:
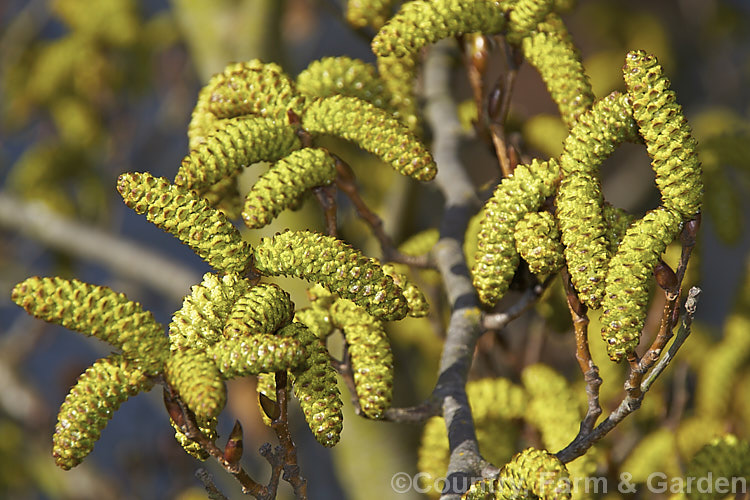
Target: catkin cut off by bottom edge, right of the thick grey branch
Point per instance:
(533, 473)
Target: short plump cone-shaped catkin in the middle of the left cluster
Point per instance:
(263, 308)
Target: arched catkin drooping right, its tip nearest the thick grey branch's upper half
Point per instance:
(372, 129)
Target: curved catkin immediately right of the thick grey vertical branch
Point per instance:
(496, 258)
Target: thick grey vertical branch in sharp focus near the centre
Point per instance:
(464, 327)
